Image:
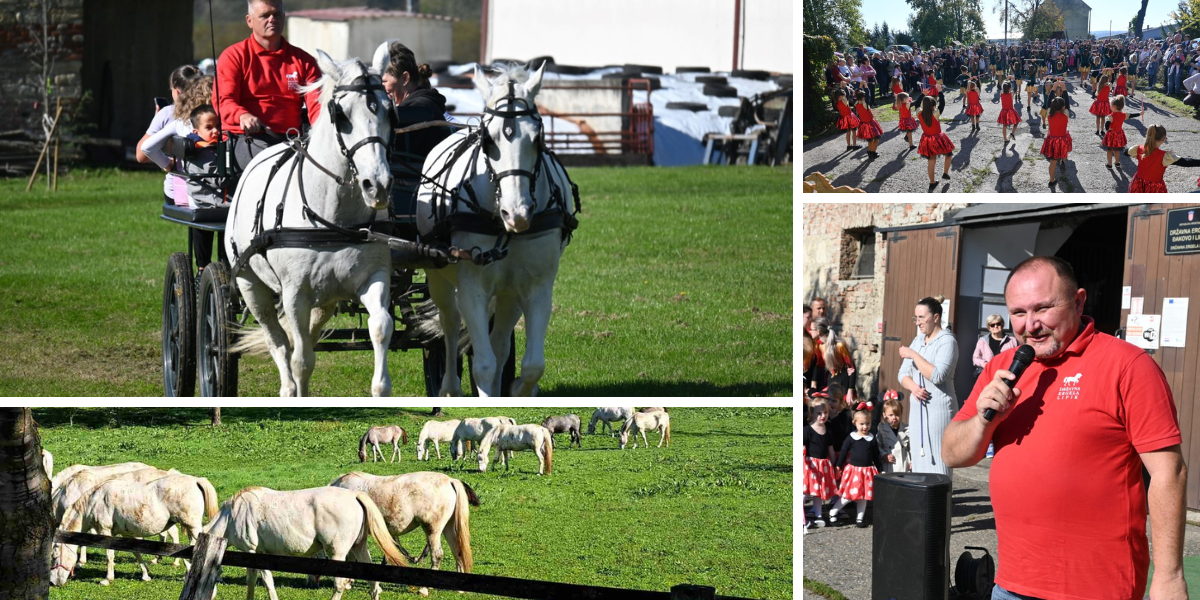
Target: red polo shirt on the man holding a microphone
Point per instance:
(1066, 479)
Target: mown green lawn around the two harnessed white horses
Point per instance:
(679, 283)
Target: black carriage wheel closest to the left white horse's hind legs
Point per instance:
(218, 315)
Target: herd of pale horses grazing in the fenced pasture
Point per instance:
(135, 500)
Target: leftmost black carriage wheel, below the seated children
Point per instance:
(179, 328)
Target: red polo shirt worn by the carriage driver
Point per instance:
(266, 85)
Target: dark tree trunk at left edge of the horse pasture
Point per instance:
(27, 521)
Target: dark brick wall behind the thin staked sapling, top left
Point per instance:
(21, 86)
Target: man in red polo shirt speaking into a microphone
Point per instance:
(1071, 440)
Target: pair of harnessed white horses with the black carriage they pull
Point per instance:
(331, 237)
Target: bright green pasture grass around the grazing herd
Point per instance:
(715, 509)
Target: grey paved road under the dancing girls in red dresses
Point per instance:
(985, 164)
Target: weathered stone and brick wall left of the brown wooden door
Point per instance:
(856, 305)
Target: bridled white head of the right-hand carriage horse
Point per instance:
(512, 135)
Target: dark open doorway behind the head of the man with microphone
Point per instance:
(1097, 253)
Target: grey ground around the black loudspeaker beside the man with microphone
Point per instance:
(841, 557)
